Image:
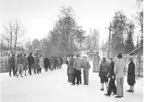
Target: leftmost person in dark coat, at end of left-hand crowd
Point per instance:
(12, 66)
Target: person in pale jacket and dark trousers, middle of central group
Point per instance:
(77, 70)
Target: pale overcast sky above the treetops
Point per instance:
(38, 16)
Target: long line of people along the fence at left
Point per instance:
(22, 63)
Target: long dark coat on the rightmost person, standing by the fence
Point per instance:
(131, 73)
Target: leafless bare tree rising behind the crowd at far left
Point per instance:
(13, 32)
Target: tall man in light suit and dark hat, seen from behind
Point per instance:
(119, 70)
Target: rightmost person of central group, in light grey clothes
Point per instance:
(86, 66)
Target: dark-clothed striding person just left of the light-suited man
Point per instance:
(111, 75)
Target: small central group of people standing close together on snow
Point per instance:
(74, 67)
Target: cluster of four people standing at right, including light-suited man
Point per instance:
(115, 72)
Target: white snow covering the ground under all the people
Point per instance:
(52, 86)
